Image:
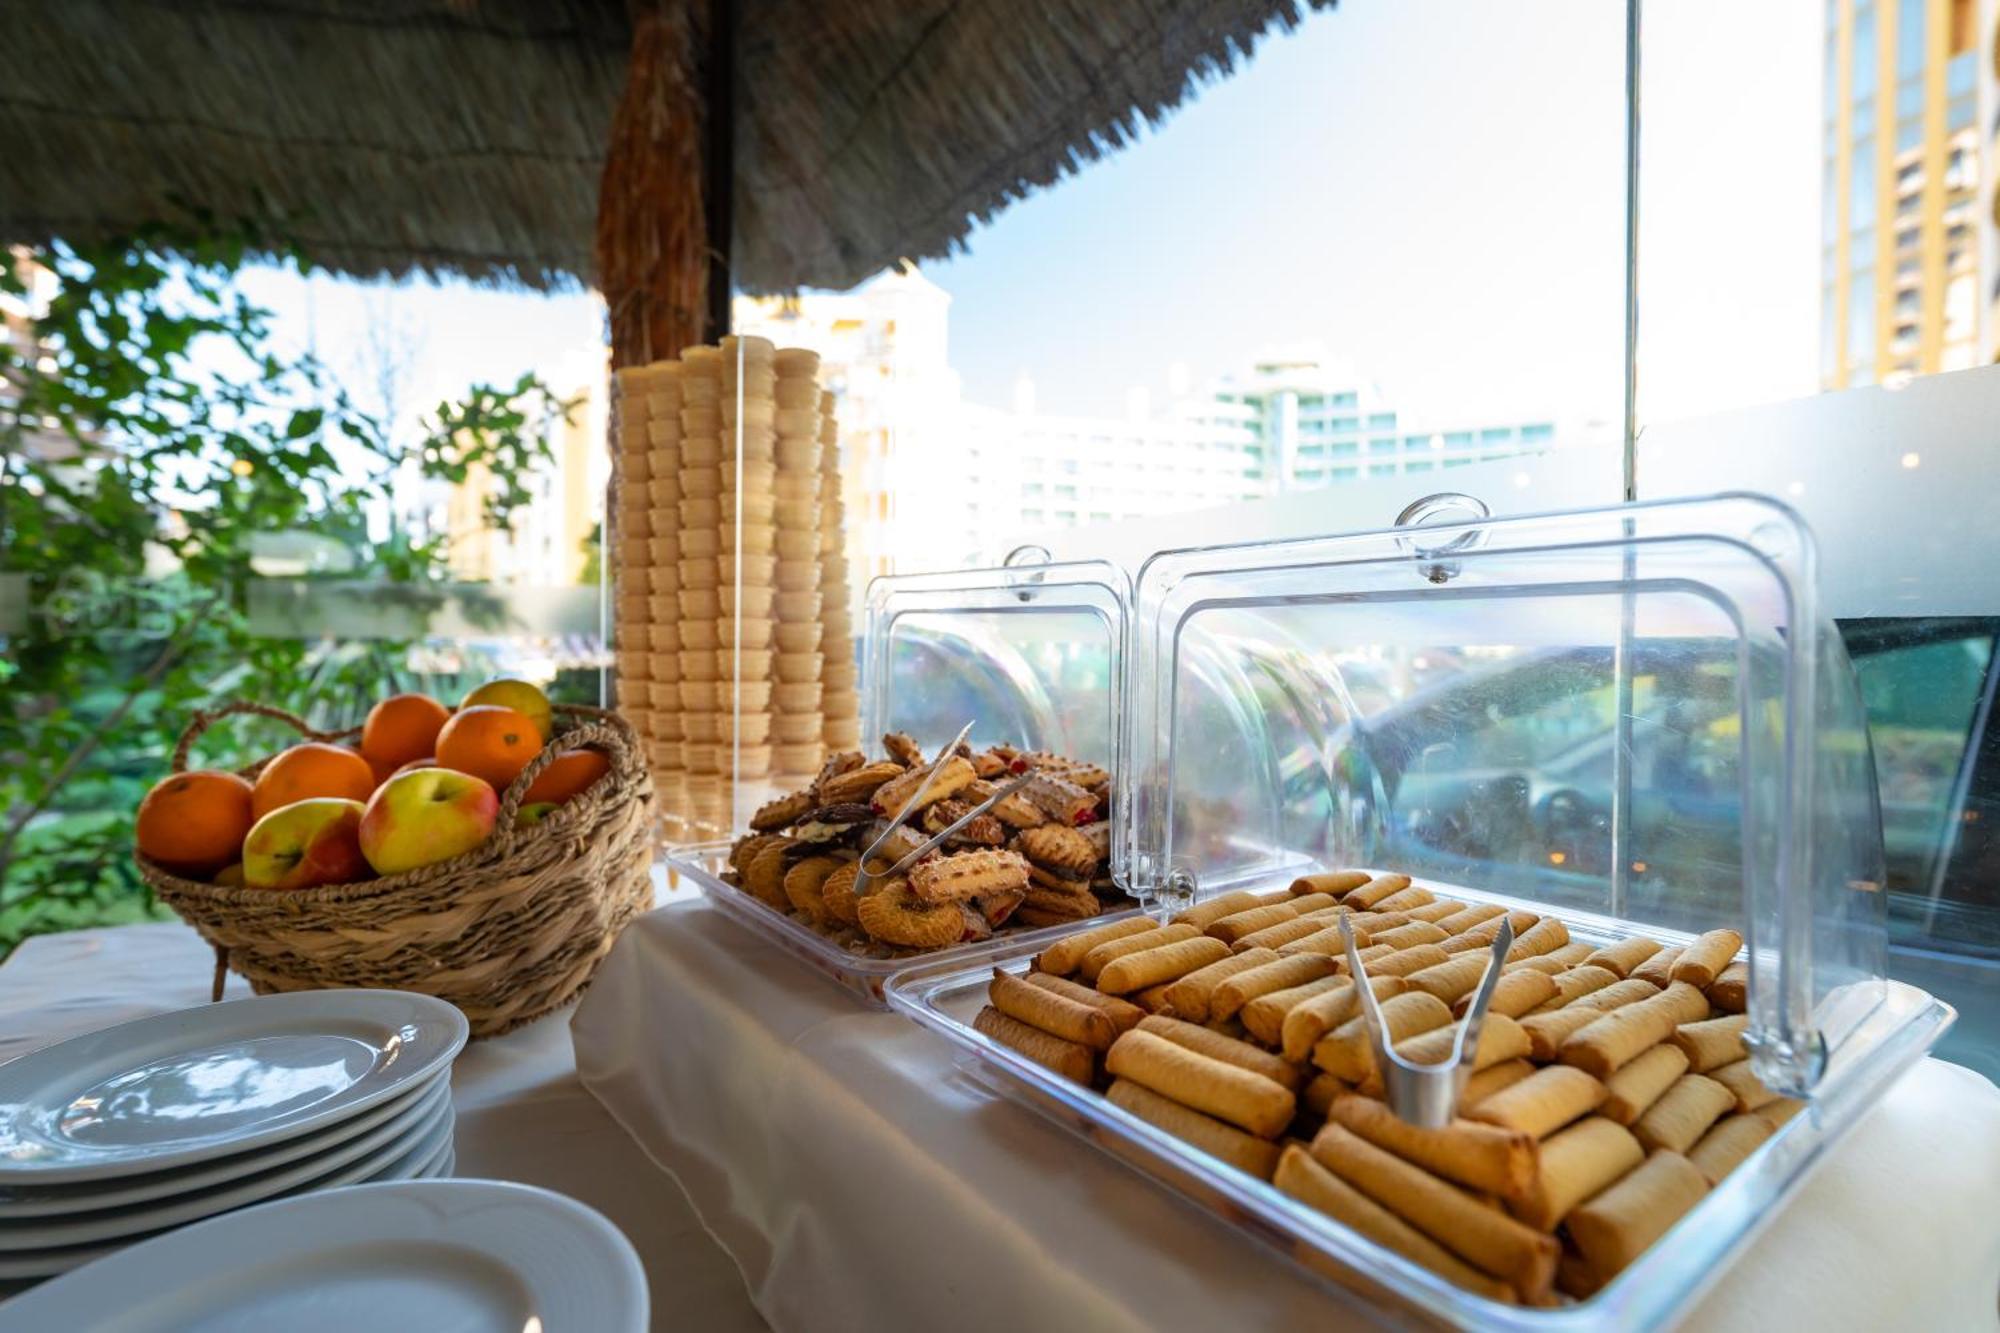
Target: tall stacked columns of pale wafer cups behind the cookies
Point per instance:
(735, 637)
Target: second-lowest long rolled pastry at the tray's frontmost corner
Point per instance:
(1447, 1214)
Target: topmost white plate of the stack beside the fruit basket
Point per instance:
(213, 1082)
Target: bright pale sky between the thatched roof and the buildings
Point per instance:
(1431, 191)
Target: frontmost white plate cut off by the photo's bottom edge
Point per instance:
(439, 1256)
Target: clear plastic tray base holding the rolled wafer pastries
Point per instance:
(1661, 1284)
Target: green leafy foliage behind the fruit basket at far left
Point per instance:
(151, 439)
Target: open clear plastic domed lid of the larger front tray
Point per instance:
(1631, 716)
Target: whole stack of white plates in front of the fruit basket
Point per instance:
(135, 1130)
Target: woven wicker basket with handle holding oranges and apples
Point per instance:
(507, 932)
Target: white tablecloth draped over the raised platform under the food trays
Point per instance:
(859, 1180)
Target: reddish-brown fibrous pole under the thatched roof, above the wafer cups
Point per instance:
(655, 257)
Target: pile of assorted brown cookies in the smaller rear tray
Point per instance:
(1039, 858)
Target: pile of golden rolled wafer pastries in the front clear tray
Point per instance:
(1611, 1092)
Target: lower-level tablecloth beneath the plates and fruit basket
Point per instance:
(521, 1112)
